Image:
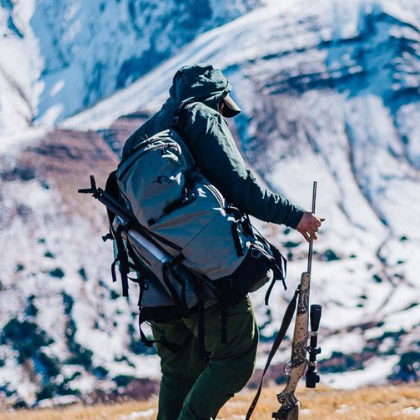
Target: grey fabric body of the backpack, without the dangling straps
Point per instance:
(192, 223)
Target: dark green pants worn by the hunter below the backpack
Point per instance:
(192, 389)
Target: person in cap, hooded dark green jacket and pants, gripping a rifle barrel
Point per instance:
(192, 389)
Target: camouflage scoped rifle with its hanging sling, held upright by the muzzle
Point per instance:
(295, 369)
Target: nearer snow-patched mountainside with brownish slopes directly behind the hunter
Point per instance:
(330, 91)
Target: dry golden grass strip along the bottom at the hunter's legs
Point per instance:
(376, 403)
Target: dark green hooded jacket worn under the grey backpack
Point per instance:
(210, 141)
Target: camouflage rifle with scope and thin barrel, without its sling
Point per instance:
(289, 409)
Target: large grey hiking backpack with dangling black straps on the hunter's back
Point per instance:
(186, 246)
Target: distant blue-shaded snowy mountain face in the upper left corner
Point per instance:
(59, 57)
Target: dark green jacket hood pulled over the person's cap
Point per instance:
(198, 83)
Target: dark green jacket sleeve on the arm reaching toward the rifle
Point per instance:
(213, 147)
